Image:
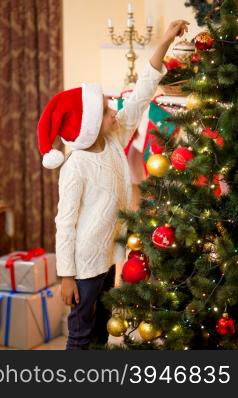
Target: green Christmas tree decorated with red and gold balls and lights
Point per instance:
(180, 282)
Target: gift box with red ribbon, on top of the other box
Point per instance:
(27, 272)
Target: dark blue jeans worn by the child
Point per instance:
(88, 319)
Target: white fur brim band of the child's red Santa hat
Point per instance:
(92, 97)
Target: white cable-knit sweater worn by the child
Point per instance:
(93, 187)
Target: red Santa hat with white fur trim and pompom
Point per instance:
(74, 115)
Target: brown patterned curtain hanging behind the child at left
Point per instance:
(30, 73)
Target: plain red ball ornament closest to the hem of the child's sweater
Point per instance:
(135, 270)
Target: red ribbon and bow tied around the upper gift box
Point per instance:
(10, 262)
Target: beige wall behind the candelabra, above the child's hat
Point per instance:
(88, 52)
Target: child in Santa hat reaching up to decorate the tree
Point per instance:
(94, 183)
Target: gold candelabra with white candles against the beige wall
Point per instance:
(131, 35)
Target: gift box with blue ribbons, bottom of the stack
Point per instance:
(28, 320)
